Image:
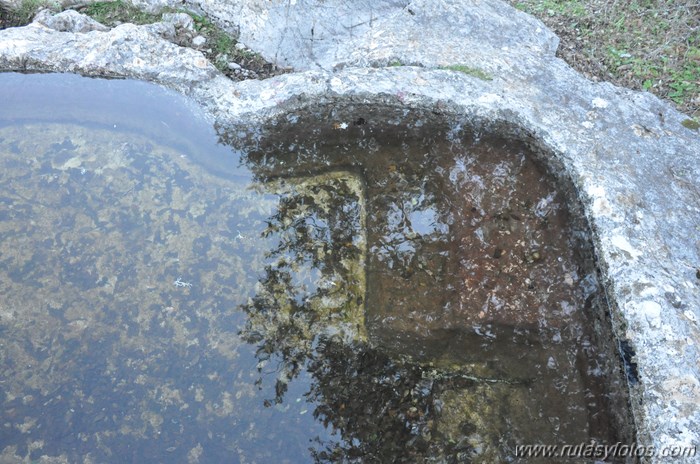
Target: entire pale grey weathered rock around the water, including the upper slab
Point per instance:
(632, 161)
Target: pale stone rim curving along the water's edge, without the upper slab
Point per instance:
(633, 165)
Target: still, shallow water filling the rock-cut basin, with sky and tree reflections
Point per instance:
(352, 283)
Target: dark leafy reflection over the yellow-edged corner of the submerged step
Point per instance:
(314, 281)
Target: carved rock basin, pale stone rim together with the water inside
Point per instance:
(405, 262)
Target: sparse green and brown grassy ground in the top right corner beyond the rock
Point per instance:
(651, 45)
